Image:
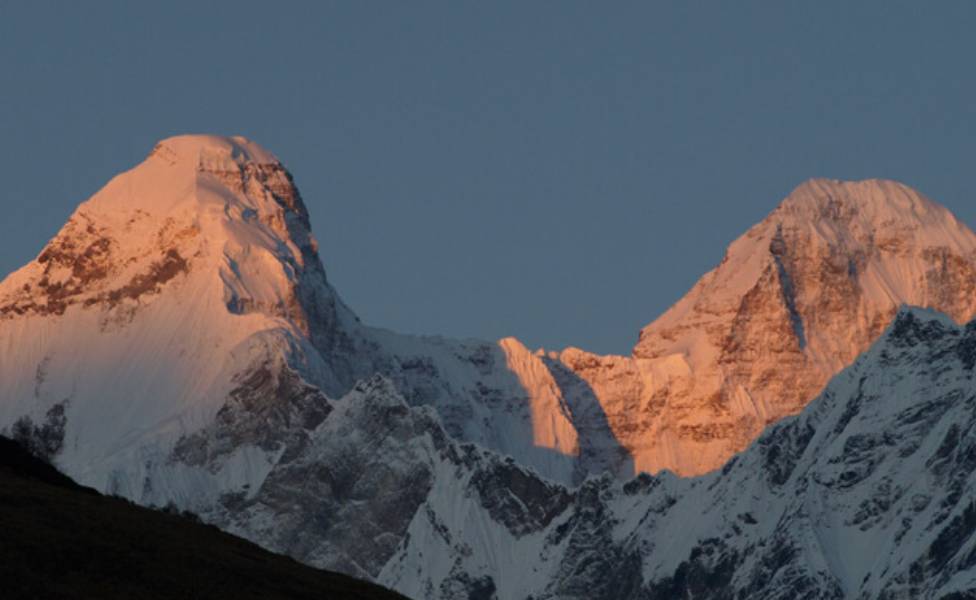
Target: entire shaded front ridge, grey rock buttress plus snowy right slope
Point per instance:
(868, 493)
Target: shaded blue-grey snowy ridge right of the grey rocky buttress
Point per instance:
(869, 493)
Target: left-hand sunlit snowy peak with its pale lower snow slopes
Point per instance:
(169, 280)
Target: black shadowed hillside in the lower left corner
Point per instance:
(62, 540)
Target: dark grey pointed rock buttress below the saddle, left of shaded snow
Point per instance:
(346, 485)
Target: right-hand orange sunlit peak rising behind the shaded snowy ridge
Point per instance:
(794, 300)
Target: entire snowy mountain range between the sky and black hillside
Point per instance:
(178, 343)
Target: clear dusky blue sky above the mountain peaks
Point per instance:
(558, 171)
